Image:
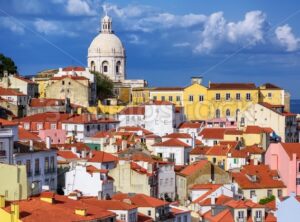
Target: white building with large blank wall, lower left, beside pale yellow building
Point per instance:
(89, 180)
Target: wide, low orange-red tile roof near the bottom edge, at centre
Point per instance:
(141, 200)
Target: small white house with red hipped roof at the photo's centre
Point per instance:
(173, 150)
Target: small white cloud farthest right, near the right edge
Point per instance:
(287, 39)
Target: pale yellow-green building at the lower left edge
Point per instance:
(15, 186)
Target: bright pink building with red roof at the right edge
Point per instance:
(285, 158)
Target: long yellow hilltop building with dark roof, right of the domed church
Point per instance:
(218, 100)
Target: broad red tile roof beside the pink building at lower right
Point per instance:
(264, 177)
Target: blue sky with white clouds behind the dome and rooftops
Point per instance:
(166, 42)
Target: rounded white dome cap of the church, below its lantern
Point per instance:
(107, 44)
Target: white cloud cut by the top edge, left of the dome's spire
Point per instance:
(79, 7)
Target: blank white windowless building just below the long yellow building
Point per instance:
(160, 117)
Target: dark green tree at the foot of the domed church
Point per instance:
(104, 86)
